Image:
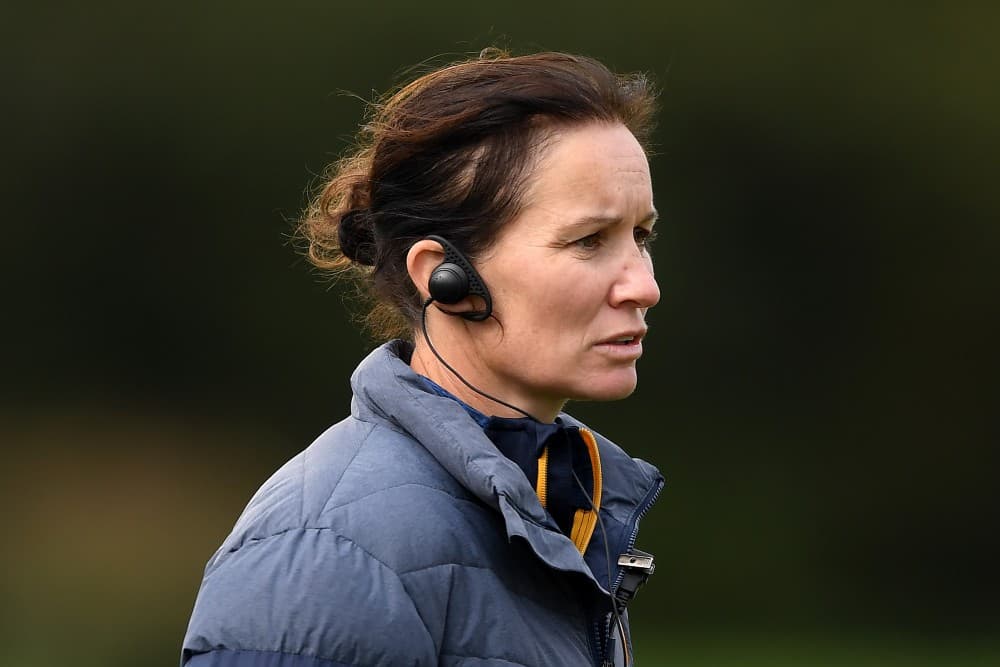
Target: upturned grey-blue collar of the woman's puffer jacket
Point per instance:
(387, 389)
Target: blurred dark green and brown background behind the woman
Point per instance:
(819, 385)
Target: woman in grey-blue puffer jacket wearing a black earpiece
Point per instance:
(501, 210)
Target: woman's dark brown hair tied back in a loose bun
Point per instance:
(450, 154)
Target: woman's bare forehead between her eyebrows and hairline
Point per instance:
(591, 170)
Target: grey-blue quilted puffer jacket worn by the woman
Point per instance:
(402, 536)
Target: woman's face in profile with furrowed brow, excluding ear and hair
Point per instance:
(571, 276)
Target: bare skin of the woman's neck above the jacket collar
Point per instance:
(426, 363)
